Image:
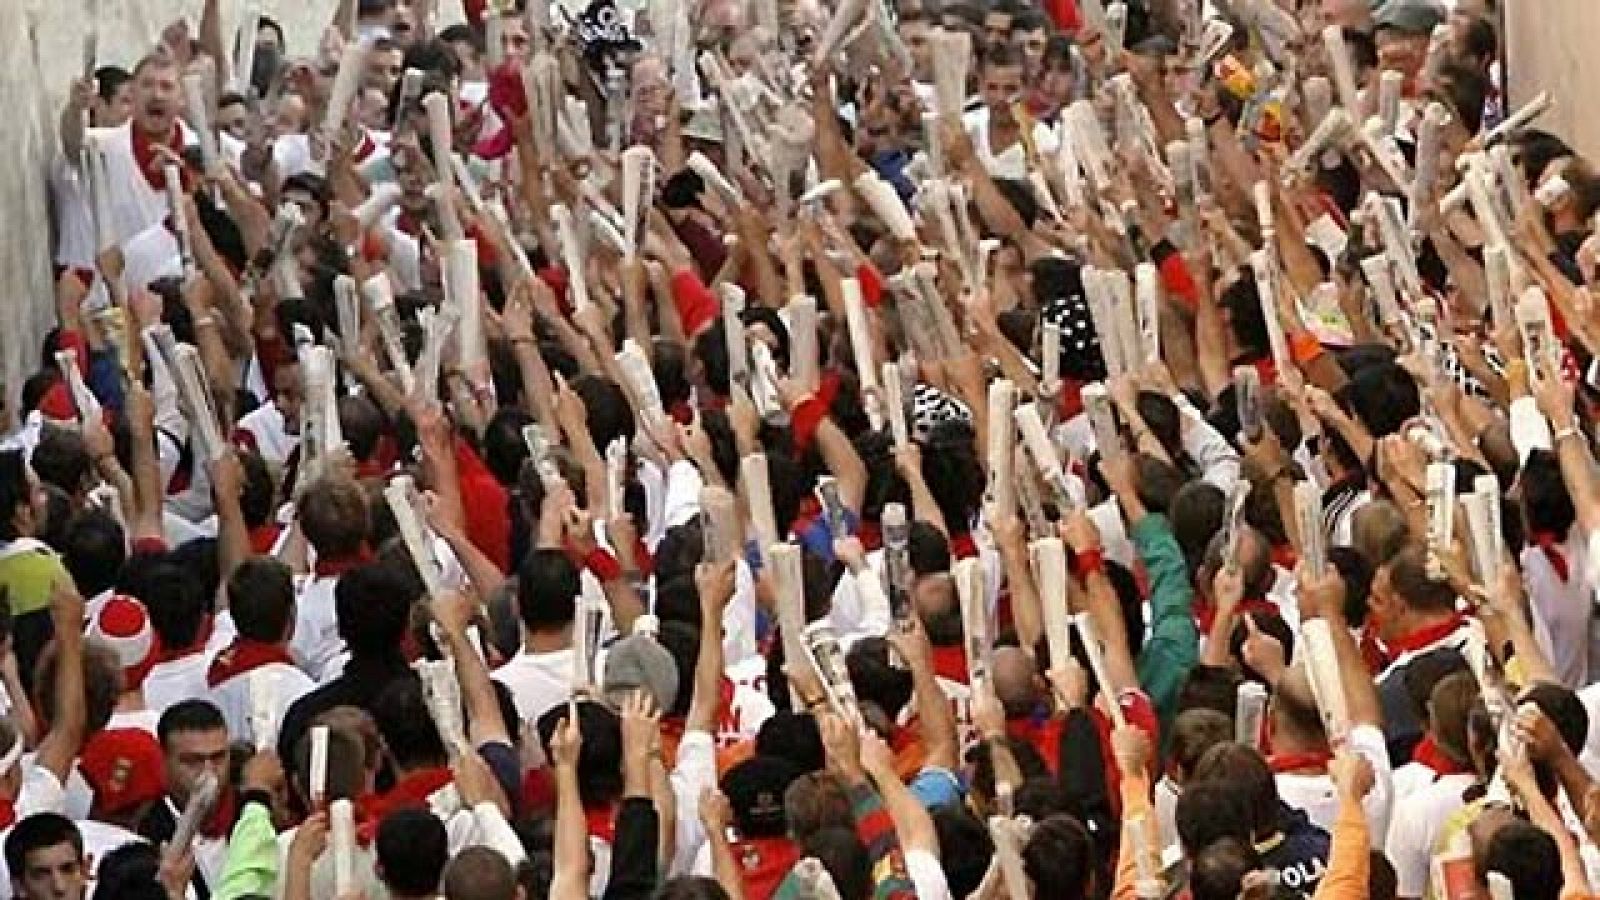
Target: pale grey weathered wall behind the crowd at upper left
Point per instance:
(41, 54)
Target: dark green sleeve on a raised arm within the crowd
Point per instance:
(1172, 645)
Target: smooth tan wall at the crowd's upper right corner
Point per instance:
(1556, 46)
